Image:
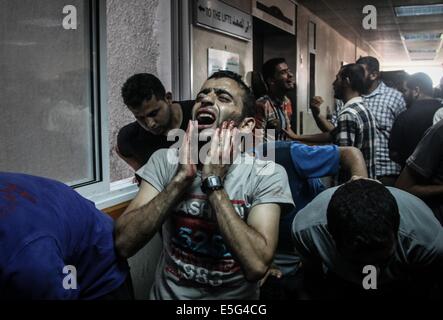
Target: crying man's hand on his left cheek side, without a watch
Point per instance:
(187, 166)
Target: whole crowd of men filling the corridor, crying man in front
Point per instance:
(236, 224)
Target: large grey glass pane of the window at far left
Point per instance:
(46, 123)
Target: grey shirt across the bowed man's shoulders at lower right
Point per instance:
(419, 241)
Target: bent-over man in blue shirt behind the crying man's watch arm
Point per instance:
(304, 166)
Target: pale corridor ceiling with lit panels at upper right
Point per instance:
(388, 40)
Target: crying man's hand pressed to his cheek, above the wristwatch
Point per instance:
(222, 151)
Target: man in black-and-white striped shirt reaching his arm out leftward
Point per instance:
(356, 126)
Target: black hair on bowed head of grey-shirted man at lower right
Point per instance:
(362, 216)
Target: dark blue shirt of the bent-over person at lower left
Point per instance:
(45, 226)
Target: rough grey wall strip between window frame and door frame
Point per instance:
(138, 40)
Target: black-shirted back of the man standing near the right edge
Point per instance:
(409, 128)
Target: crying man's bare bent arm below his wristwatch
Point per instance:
(252, 243)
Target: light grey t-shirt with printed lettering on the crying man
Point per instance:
(195, 262)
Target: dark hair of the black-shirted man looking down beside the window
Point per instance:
(141, 87)
